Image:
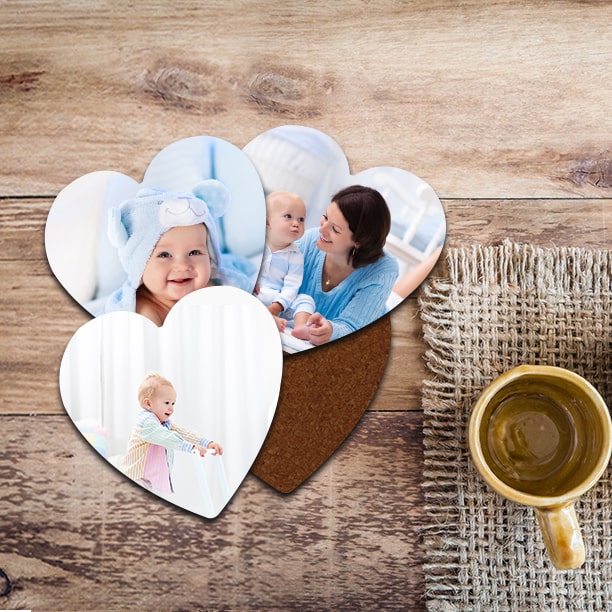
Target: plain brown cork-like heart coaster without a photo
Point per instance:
(324, 394)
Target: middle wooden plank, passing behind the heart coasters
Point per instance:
(37, 334)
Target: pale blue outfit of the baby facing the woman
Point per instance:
(280, 276)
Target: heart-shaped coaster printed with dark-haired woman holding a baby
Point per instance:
(363, 253)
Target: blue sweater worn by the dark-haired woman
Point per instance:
(358, 300)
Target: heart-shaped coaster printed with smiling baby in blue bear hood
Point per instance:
(196, 180)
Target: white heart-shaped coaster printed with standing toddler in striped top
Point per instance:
(220, 359)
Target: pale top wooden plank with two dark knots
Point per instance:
(481, 100)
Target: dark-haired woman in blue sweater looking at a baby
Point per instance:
(346, 271)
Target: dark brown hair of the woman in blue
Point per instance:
(369, 220)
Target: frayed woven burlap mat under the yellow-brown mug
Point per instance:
(501, 307)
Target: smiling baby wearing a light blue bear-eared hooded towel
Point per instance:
(168, 244)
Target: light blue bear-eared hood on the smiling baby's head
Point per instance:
(136, 225)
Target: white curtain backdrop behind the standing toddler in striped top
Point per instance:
(221, 351)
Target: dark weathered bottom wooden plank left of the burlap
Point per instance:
(76, 535)
